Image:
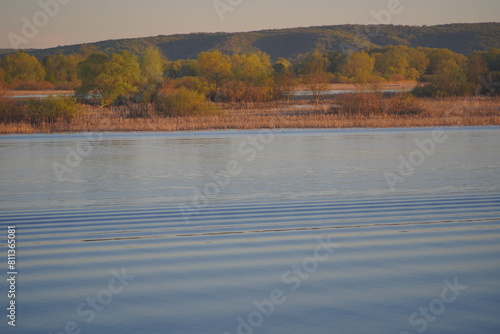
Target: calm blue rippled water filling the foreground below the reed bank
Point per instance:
(254, 232)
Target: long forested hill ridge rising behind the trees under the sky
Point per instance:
(291, 43)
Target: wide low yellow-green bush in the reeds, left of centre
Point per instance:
(184, 102)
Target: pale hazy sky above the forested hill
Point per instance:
(80, 21)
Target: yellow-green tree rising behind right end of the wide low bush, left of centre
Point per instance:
(215, 69)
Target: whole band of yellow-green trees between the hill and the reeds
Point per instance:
(250, 77)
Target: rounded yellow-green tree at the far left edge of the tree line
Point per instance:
(22, 67)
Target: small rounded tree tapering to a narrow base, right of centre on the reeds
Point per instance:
(315, 75)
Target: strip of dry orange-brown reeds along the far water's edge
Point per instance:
(330, 113)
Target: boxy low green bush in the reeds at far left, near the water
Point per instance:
(51, 110)
